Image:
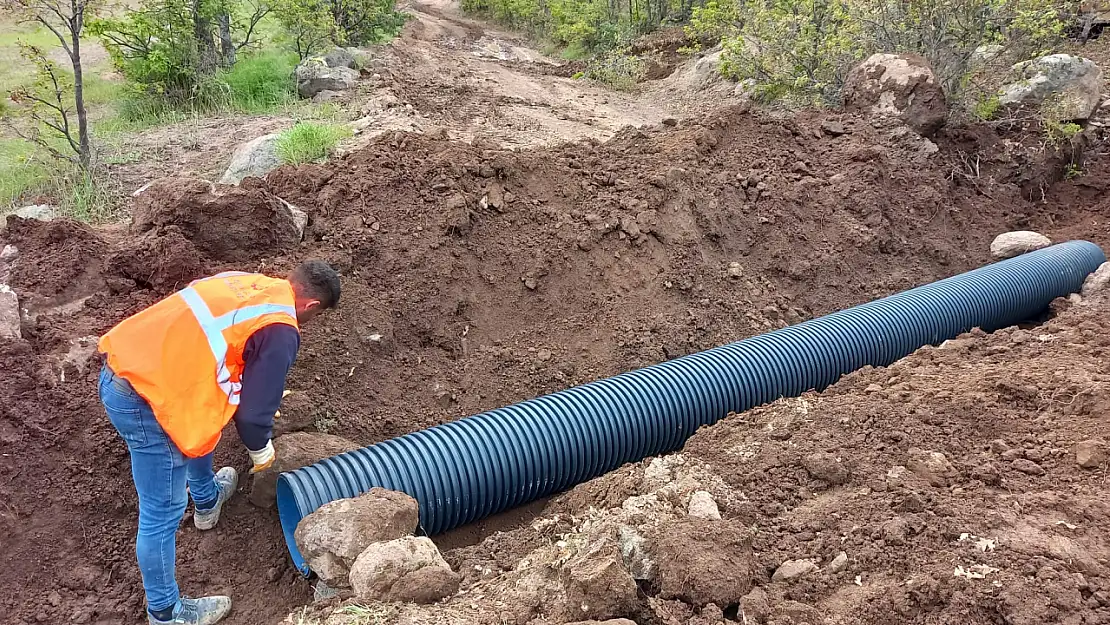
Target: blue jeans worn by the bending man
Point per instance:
(160, 472)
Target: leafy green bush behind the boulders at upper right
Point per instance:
(803, 51)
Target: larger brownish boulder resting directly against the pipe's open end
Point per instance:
(334, 537)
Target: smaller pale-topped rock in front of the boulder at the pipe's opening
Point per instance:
(406, 570)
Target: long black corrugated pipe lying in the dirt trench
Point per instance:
(483, 465)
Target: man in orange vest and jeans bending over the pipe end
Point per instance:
(175, 375)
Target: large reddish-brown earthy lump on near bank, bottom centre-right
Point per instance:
(702, 561)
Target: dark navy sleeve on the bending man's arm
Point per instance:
(267, 359)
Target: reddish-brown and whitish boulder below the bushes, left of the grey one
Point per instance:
(899, 86)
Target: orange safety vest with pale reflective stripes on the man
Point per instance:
(185, 355)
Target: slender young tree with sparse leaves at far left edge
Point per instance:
(48, 100)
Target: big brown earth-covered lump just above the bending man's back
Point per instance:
(228, 224)
